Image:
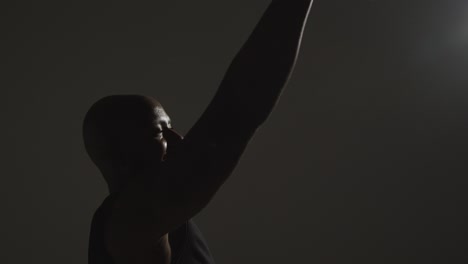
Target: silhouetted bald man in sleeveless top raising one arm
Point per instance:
(158, 180)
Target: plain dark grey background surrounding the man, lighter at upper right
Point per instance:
(371, 132)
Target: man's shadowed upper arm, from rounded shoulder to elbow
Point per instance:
(147, 210)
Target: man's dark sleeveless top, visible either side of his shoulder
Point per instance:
(187, 243)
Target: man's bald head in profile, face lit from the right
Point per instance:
(125, 132)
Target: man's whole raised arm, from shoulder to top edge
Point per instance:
(196, 169)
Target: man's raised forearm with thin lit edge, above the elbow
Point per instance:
(258, 73)
